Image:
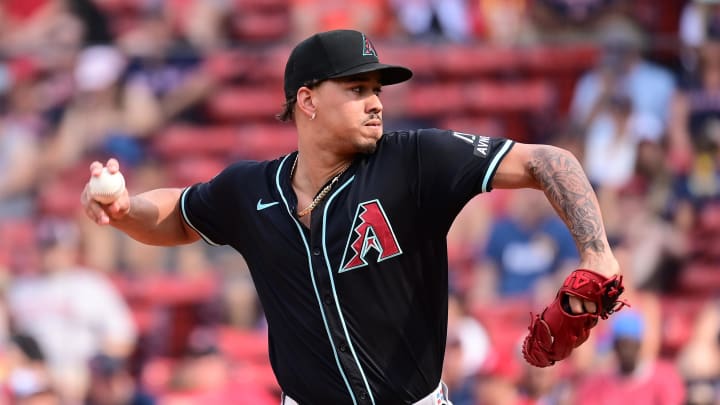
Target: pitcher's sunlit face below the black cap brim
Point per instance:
(350, 112)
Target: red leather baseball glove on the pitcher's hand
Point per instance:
(557, 331)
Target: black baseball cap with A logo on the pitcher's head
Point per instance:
(335, 54)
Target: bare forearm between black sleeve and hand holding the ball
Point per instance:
(154, 218)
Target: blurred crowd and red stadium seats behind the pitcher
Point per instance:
(177, 89)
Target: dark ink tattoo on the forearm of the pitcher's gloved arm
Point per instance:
(566, 186)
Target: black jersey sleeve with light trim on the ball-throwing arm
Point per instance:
(208, 207)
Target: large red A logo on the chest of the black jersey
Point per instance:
(371, 237)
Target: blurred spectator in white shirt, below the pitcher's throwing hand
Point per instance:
(71, 311)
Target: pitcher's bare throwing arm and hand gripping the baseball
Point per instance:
(152, 217)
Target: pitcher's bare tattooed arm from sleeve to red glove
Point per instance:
(560, 176)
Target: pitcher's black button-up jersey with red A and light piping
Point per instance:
(356, 305)
